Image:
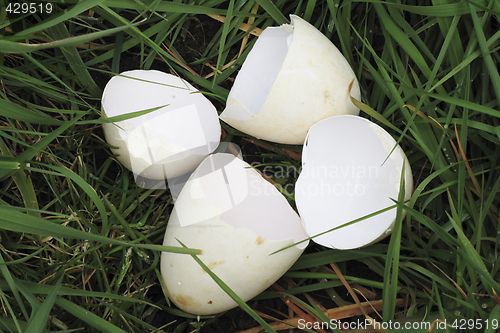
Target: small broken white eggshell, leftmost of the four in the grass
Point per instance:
(165, 143)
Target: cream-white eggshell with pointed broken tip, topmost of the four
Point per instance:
(292, 78)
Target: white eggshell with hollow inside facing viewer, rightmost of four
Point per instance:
(347, 173)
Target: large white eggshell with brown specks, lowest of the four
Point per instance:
(237, 219)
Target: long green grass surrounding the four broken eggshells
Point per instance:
(80, 242)
